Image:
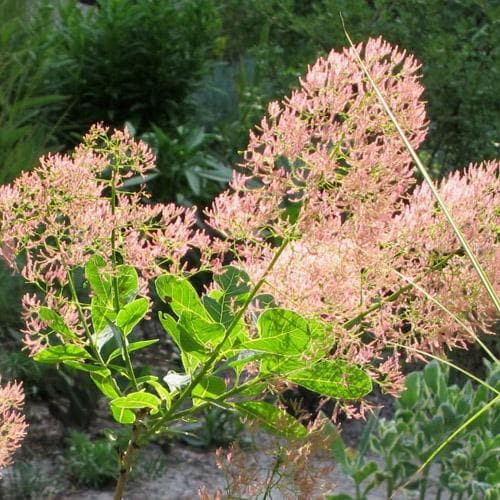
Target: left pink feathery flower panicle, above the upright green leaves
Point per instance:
(60, 214)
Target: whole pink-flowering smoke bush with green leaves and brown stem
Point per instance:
(329, 266)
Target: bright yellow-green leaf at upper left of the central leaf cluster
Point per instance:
(181, 295)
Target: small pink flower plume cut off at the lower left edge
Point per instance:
(12, 422)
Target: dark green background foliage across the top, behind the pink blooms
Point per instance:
(192, 76)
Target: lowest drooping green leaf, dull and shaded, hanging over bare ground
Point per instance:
(271, 418)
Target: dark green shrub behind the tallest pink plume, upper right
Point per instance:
(457, 41)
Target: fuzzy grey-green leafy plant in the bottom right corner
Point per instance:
(428, 411)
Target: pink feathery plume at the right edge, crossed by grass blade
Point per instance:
(421, 238)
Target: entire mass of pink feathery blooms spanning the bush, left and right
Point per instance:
(327, 173)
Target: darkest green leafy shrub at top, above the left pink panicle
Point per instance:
(136, 61)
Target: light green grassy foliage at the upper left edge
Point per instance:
(25, 128)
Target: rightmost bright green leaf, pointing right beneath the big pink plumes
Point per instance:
(333, 378)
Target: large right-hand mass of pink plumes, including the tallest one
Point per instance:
(328, 170)
